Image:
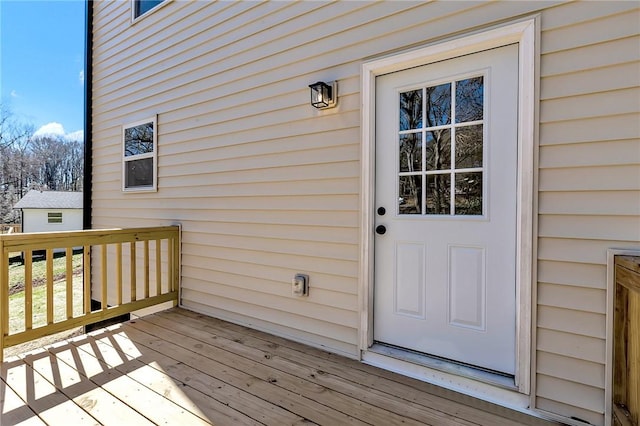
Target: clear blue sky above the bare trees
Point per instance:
(42, 63)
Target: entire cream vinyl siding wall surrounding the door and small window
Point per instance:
(265, 186)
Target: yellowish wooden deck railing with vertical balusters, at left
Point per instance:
(124, 269)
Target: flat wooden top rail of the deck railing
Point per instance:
(44, 240)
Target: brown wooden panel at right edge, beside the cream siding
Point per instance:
(626, 368)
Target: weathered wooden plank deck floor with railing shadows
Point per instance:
(180, 368)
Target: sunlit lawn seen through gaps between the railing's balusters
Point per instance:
(16, 300)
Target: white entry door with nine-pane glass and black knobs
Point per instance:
(445, 246)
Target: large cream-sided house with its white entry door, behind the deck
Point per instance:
(491, 253)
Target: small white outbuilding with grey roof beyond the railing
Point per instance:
(49, 211)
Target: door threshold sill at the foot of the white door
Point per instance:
(493, 378)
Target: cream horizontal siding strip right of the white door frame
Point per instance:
(589, 193)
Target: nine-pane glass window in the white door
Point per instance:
(441, 149)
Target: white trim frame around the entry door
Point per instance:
(523, 33)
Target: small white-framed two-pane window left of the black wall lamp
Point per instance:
(139, 156)
